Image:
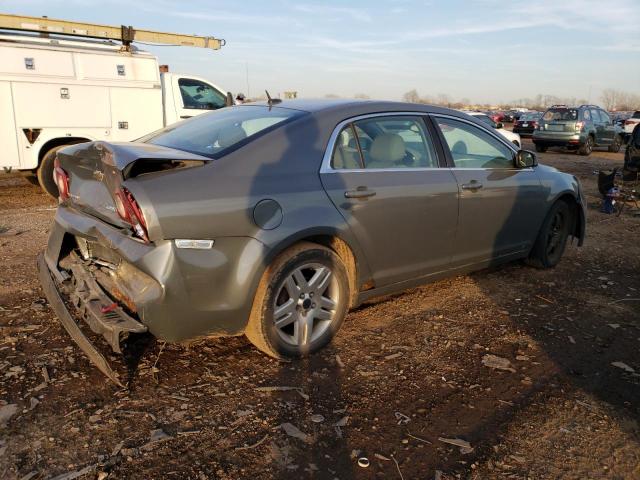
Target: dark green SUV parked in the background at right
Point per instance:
(577, 128)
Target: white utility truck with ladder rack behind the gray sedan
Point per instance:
(72, 82)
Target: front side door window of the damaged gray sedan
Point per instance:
(471, 147)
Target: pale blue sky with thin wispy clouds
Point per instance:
(484, 50)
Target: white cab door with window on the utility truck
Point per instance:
(193, 96)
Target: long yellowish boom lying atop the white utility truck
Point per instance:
(126, 34)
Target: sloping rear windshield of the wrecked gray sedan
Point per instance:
(215, 134)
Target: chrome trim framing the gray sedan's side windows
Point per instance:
(328, 154)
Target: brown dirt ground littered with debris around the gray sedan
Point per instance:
(404, 373)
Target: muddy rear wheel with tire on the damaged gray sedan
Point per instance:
(297, 308)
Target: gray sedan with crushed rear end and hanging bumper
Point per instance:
(273, 220)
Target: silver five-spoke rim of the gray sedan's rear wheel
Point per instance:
(306, 304)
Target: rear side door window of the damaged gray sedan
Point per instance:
(385, 143)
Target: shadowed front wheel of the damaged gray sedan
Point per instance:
(552, 238)
